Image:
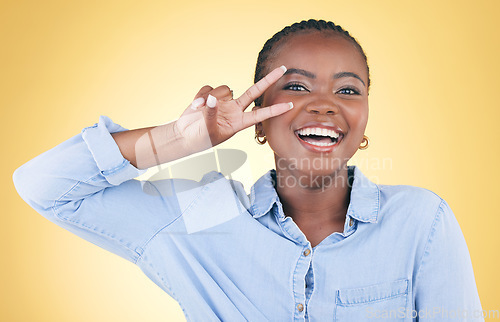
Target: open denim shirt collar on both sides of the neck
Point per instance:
(363, 206)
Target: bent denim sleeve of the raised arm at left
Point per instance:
(87, 187)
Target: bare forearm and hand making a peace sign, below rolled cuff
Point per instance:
(199, 128)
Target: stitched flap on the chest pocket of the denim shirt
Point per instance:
(373, 292)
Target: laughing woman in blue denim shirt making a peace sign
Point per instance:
(314, 240)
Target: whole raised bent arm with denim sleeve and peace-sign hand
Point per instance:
(85, 183)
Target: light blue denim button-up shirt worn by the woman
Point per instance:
(225, 255)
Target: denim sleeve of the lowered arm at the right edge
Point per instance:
(445, 288)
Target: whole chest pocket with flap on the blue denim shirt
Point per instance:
(384, 302)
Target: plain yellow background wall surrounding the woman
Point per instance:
(434, 114)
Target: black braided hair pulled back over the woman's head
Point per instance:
(300, 27)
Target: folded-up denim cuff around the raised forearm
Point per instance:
(113, 166)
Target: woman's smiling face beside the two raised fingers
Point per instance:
(326, 81)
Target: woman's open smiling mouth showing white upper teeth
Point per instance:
(319, 139)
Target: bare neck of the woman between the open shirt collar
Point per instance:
(314, 199)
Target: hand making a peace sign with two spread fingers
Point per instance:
(214, 116)
